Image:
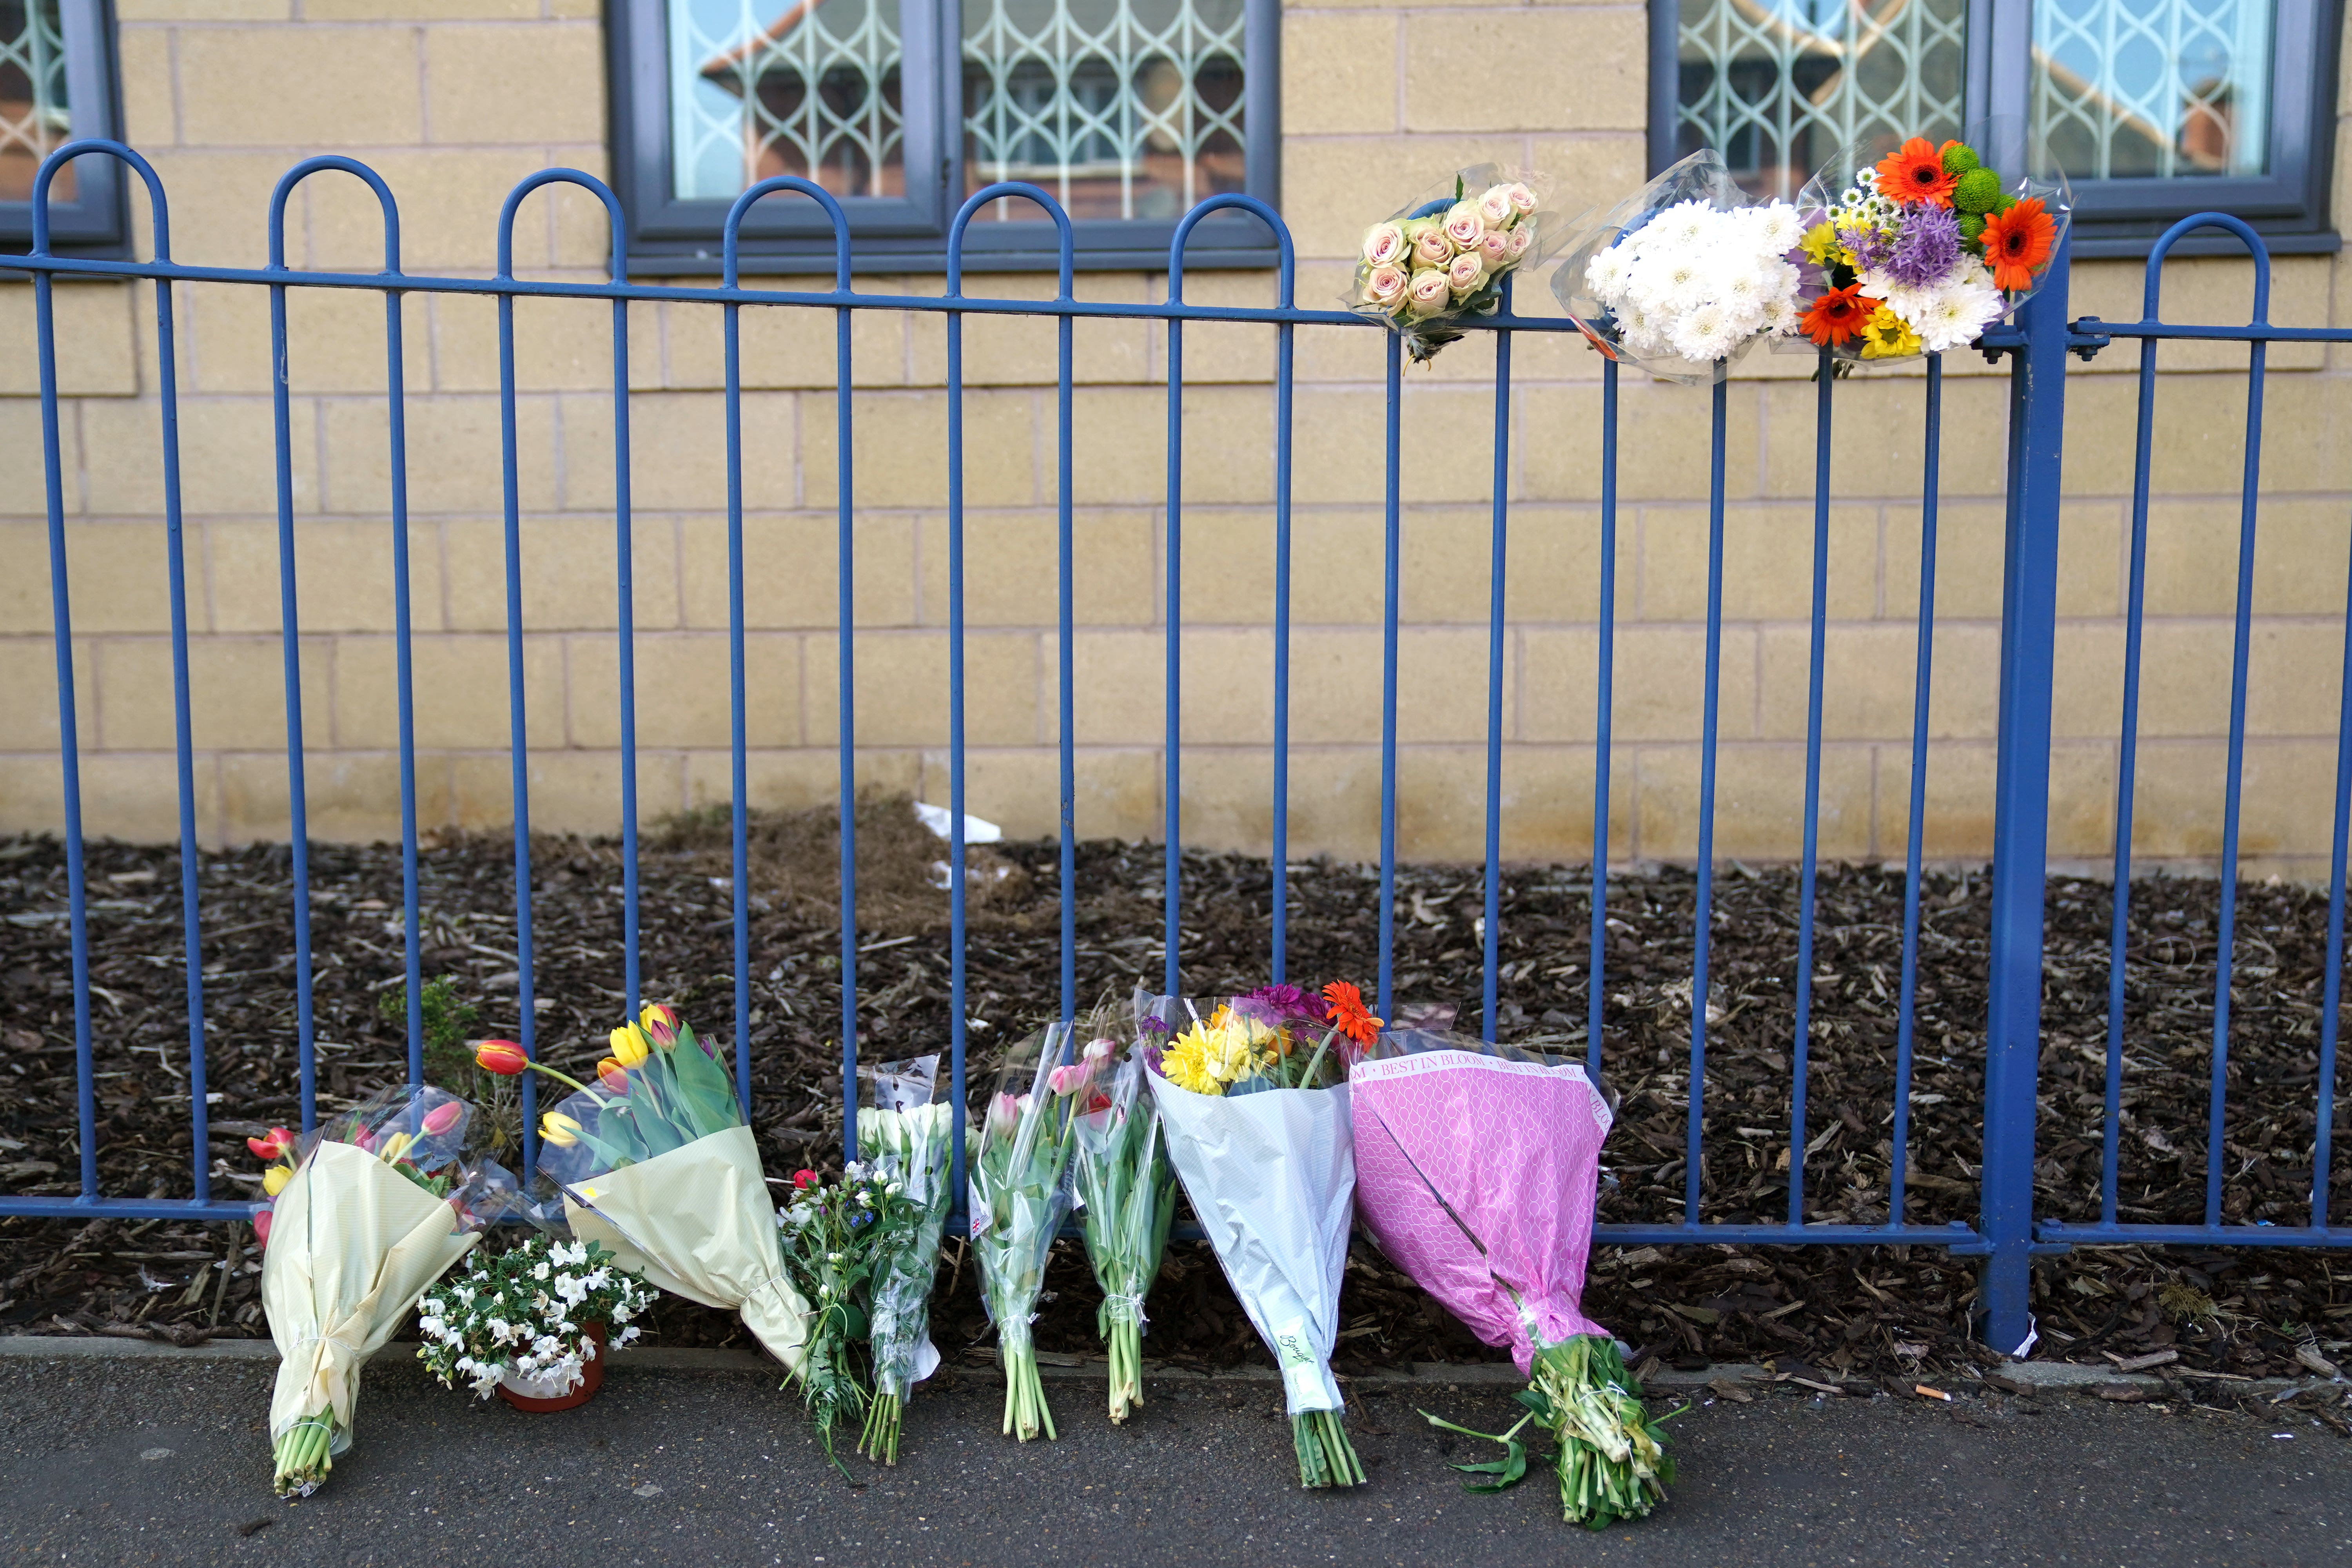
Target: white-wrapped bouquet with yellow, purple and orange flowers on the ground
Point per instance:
(1255, 1099)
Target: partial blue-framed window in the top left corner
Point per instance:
(55, 86)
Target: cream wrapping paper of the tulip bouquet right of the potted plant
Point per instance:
(700, 1224)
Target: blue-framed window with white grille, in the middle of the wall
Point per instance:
(1128, 112)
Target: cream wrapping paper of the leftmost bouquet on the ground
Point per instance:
(354, 1245)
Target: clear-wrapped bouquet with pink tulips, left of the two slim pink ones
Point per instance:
(1020, 1198)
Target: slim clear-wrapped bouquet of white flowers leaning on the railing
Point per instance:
(907, 1137)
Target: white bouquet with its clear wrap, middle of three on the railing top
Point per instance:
(1688, 274)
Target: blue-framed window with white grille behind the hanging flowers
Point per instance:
(2153, 109)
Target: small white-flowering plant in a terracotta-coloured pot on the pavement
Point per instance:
(533, 1325)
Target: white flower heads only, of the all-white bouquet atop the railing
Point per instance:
(1702, 283)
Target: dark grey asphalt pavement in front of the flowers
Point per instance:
(161, 1461)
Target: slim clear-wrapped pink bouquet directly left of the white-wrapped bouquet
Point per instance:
(1125, 1186)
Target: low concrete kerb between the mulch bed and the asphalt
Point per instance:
(2012, 1379)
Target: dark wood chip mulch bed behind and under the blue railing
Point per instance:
(1833, 1315)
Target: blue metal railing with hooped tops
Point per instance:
(2005, 1235)
